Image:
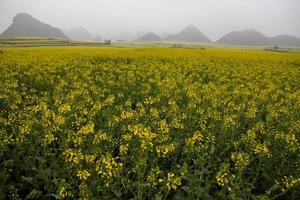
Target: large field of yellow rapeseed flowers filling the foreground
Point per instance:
(149, 123)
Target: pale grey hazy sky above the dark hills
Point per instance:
(110, 17)
